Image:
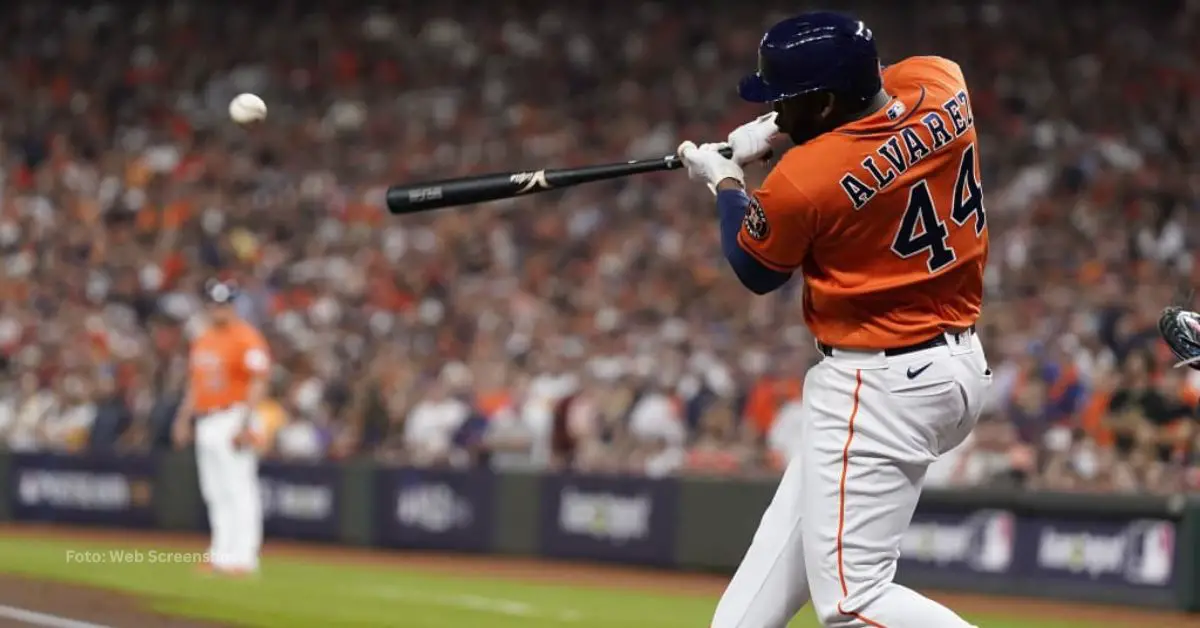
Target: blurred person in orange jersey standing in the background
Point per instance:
(227, 381)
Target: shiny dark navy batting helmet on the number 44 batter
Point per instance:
(815, 52)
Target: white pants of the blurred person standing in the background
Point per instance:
(230, 486)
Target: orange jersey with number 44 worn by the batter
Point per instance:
(884, 217)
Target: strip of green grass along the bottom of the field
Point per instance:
(298, 593)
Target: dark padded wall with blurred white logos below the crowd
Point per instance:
(1136, 551)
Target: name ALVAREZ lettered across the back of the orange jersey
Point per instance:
(907, 148)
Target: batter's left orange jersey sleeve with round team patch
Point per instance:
(779, 224)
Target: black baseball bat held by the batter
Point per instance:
(467, 190)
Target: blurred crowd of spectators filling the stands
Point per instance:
(596, 328)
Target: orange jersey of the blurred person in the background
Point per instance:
(224, 363)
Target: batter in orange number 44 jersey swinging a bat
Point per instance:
(880, 208)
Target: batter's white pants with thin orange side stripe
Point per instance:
(832, 534)
